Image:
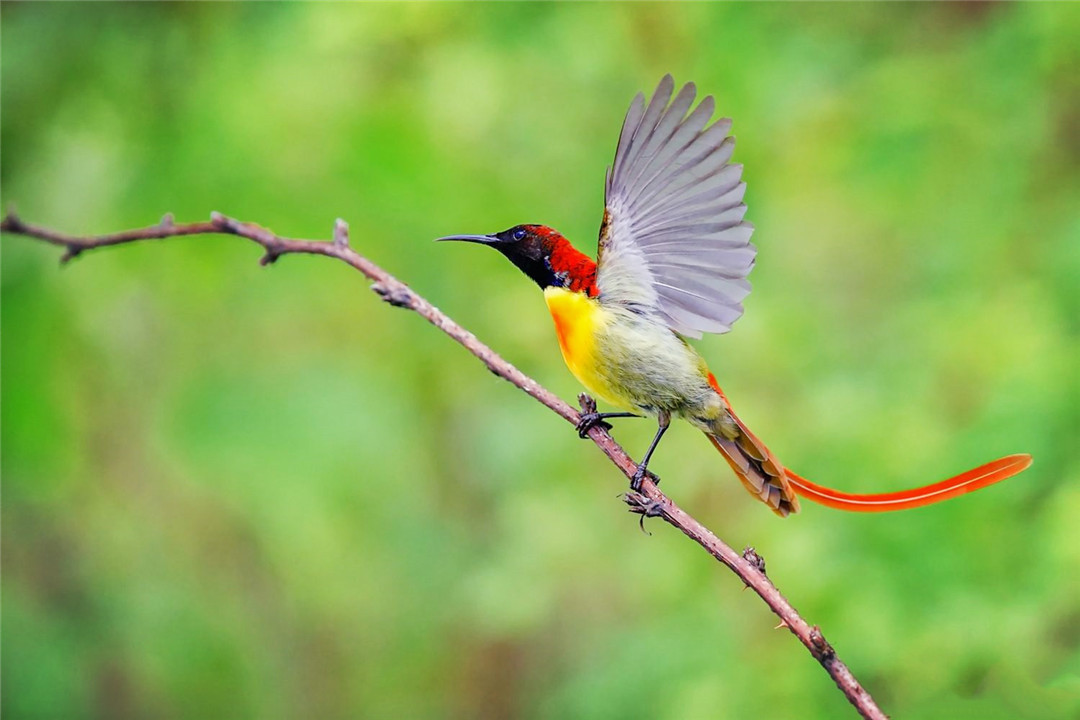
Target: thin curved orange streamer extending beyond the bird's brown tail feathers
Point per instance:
(969, 482)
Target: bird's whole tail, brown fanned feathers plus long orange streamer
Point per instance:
(775, 485)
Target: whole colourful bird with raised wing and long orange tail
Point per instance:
(673, 260)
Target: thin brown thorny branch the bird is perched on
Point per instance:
(650, 502)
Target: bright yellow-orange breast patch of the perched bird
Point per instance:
(578, 321)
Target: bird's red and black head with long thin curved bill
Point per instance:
(543, 254)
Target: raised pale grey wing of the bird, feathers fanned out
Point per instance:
(673, 238)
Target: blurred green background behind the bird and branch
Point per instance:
(242, 493)
